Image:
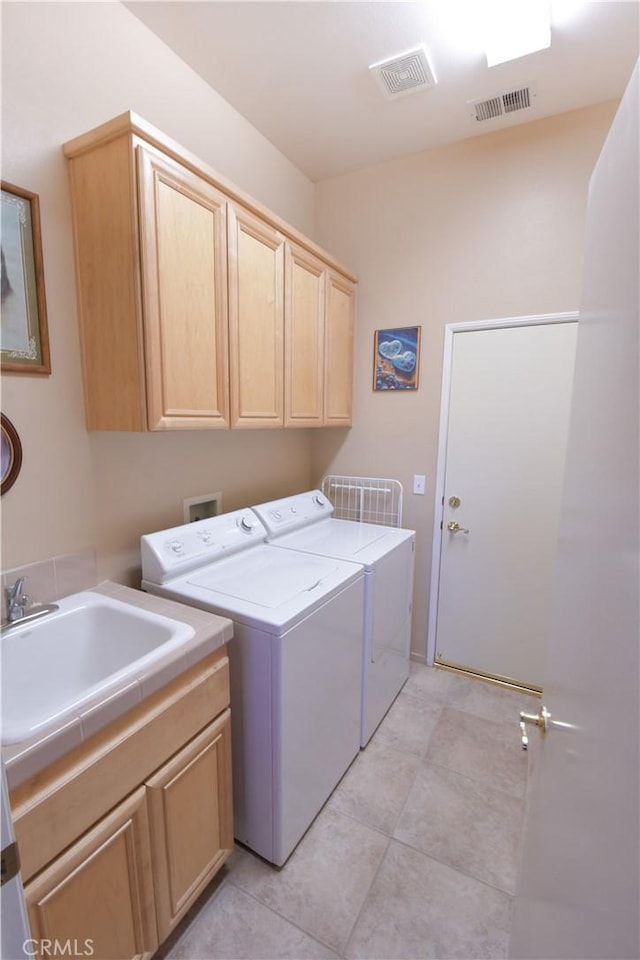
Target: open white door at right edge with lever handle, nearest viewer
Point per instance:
(579, 889)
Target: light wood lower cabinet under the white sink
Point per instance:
(117, 890)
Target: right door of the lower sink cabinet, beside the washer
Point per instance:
(191, 819)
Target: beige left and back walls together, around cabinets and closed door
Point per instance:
(486, 228)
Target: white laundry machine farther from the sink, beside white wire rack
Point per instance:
(304, 523)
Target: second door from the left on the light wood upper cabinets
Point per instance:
(256, 321)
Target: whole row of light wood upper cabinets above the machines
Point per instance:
(189, 316)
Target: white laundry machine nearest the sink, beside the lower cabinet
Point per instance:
(294, 663)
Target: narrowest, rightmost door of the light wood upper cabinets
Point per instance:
(339, 329)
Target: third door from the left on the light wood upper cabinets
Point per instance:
(304, 338)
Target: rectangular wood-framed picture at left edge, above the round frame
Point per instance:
(24, 340)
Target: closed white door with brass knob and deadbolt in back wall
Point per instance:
(508, 417)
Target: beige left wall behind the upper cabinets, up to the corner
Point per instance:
(67, 67)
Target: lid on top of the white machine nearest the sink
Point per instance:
(268, 578)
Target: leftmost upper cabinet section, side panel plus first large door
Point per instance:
(151, 276)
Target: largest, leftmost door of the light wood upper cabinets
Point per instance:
(184, 289)
